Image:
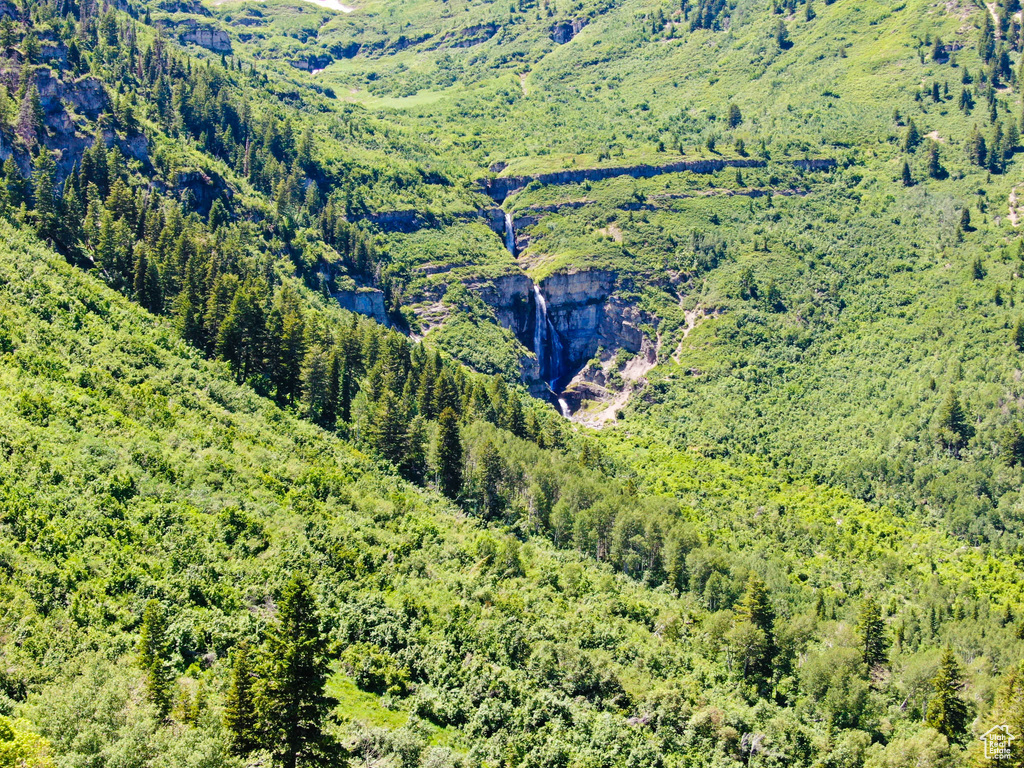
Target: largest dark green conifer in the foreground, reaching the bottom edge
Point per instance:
(291, 701)
